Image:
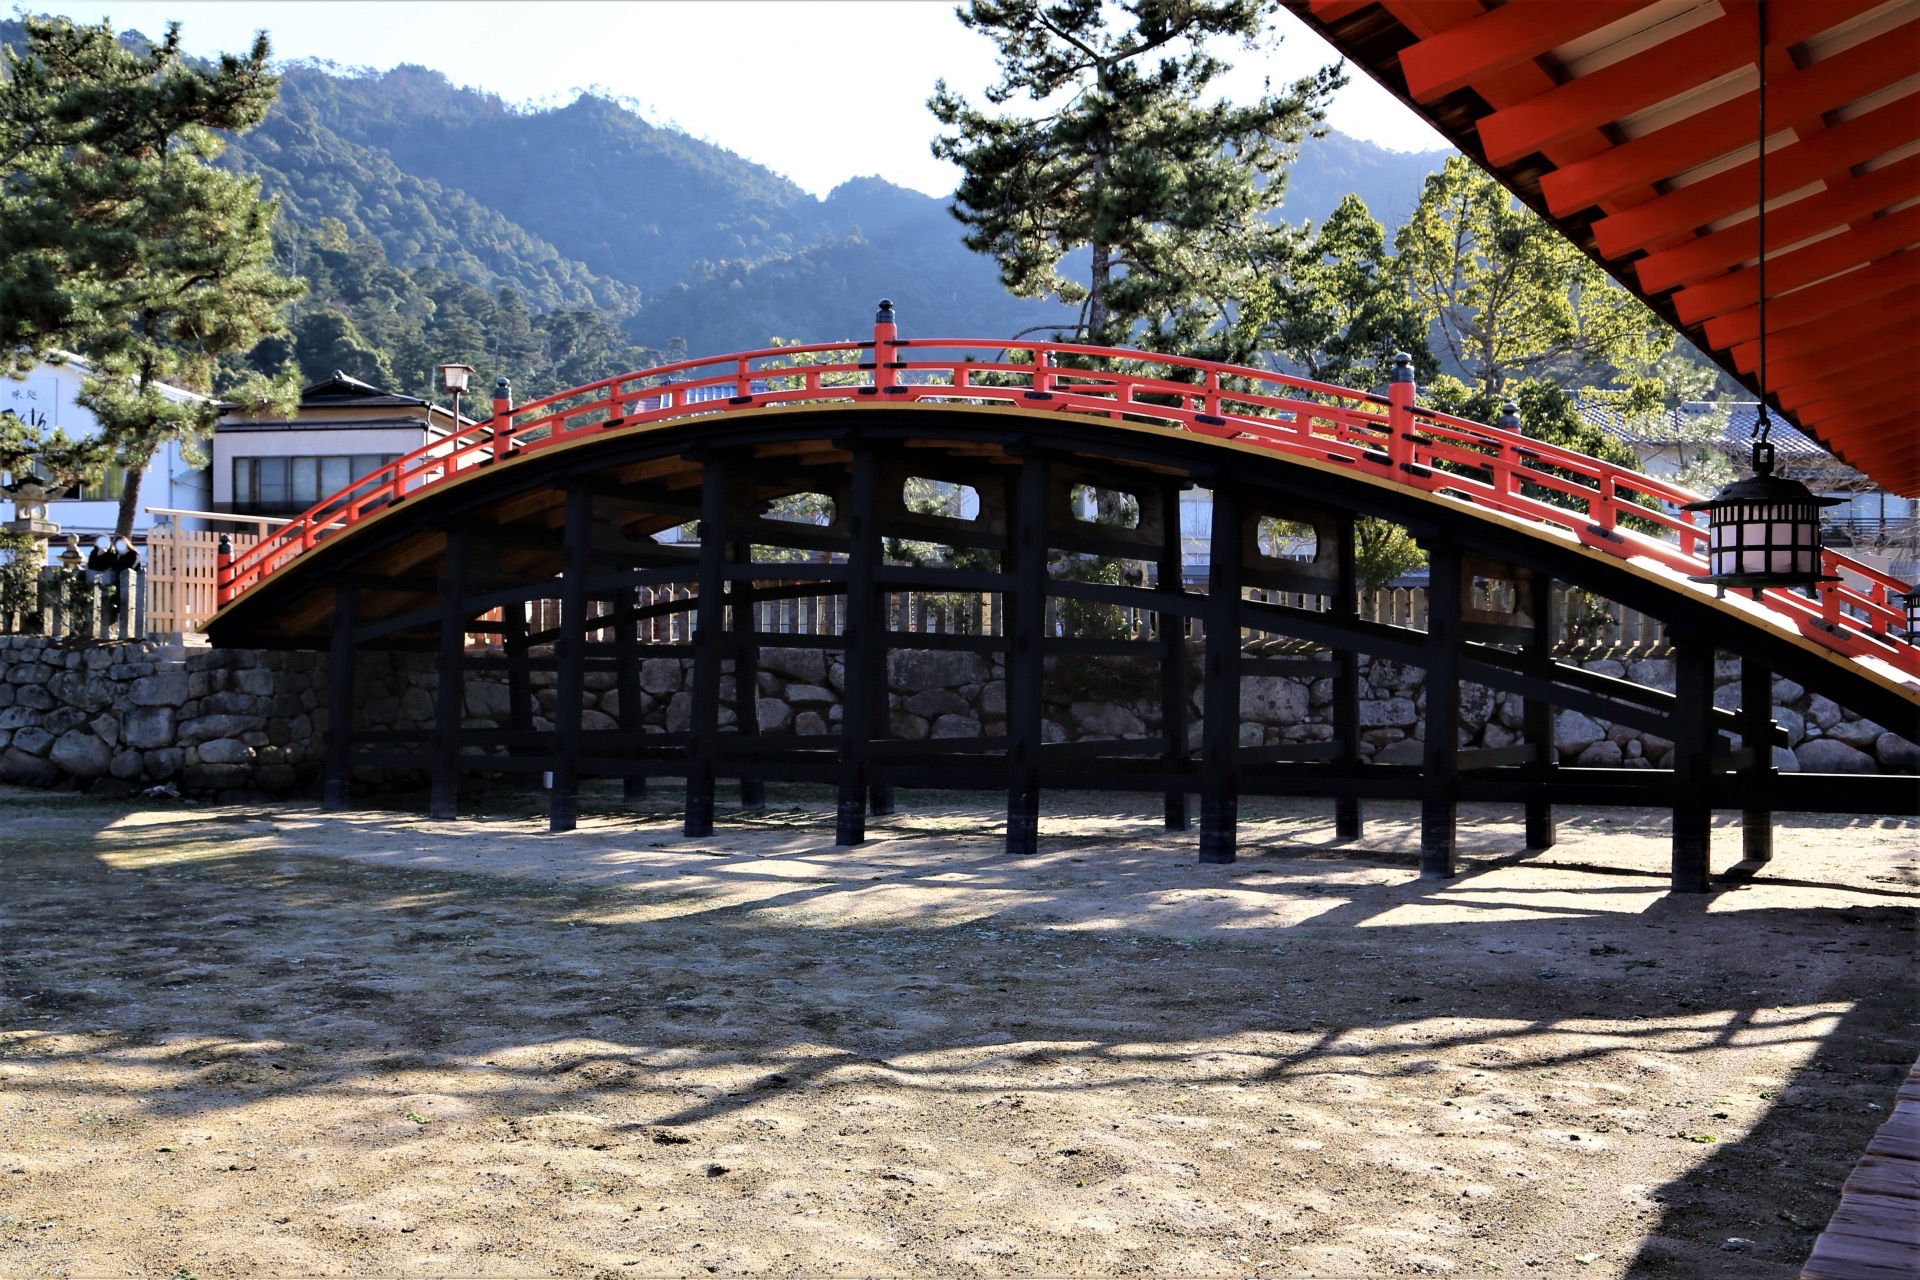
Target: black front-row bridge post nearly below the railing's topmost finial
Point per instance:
(865, 650)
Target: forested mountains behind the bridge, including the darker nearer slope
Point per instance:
(443, 224)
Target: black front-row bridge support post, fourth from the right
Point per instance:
(1026, 657)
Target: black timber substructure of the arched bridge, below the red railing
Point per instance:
(1040, 552)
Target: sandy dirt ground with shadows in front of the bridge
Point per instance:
(241, 1043)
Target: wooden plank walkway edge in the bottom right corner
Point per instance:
(1875, 1233)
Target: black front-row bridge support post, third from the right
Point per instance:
(1220, 736)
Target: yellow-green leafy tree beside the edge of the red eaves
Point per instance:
(1514, 298)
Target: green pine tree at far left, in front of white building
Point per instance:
(122, 243)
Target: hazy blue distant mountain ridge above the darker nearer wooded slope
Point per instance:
(592, 208)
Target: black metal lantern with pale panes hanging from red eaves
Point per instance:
(1765, 531)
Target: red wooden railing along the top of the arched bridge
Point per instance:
(1387, 439)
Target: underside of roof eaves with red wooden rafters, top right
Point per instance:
(1846, 256)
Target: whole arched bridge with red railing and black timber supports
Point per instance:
(562, 502)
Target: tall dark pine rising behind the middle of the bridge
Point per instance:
(1124, 156)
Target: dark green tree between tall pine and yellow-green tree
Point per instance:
(1341, 312)
